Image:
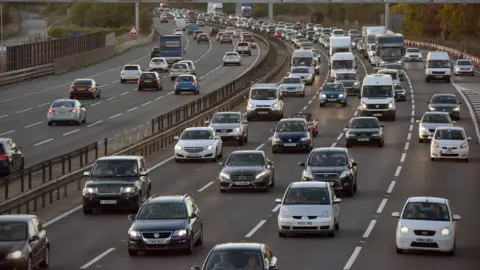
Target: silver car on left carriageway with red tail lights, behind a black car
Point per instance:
(66, 111)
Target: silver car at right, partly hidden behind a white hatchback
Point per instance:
(430, 122)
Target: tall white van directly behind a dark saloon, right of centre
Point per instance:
(377, 97)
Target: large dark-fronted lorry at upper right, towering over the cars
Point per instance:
(390, 48)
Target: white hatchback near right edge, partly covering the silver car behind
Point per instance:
(449, 143)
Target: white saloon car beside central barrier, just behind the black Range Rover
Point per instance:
(198, 143)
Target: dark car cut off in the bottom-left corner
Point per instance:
(24, 243)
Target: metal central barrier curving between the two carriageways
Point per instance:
(69, 165)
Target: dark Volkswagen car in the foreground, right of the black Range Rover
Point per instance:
(166, 223)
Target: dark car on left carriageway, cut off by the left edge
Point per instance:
(11, 157)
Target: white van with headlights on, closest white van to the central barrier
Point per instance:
(265, 101)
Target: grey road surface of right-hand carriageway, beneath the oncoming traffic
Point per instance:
(387, 176)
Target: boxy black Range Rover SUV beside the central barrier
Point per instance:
(116, 182)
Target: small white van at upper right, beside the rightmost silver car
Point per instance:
(438, 67)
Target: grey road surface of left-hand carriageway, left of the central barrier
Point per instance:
(23, 108)
